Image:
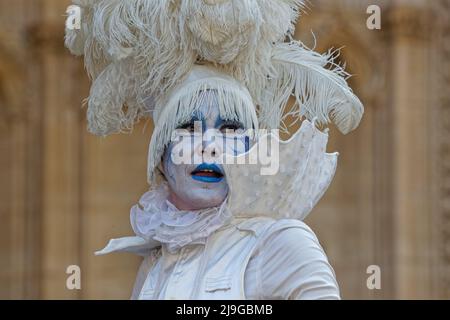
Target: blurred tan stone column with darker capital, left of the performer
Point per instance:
(61, 165)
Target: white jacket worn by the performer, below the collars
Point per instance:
(258, 258)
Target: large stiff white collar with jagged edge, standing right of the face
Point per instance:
(305, 173)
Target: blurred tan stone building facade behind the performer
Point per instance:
(65, 193)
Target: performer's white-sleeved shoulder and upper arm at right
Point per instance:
(292, 264)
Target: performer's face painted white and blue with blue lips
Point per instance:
(198, 186)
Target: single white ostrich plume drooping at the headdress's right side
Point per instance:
(318, 85)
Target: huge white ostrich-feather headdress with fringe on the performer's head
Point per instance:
(142, 57)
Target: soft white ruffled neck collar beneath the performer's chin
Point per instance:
(155, 218)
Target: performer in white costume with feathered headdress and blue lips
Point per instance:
(218, 69)
